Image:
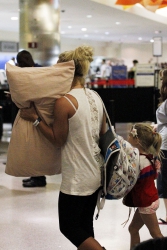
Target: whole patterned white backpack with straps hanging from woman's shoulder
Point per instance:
(121, 167)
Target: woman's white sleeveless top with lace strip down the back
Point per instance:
(81, 158)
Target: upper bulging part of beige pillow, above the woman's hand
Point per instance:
(35, 83)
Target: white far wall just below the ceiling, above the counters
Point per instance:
(126, 52)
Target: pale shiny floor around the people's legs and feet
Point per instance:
(29, 220)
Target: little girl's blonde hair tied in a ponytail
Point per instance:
(149, 140)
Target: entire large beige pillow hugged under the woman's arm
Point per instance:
(29, 152)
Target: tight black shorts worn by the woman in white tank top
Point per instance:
(76, 216)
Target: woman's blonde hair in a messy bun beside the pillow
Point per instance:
(82, 57)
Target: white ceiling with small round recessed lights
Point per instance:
(135, 22)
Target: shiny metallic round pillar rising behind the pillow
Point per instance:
(39, 30)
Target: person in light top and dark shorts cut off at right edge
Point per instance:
(161, 127)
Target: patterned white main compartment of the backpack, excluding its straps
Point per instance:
(125, 170)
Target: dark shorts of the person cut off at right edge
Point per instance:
(162, 177)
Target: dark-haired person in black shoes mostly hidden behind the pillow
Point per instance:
(24, 59)
